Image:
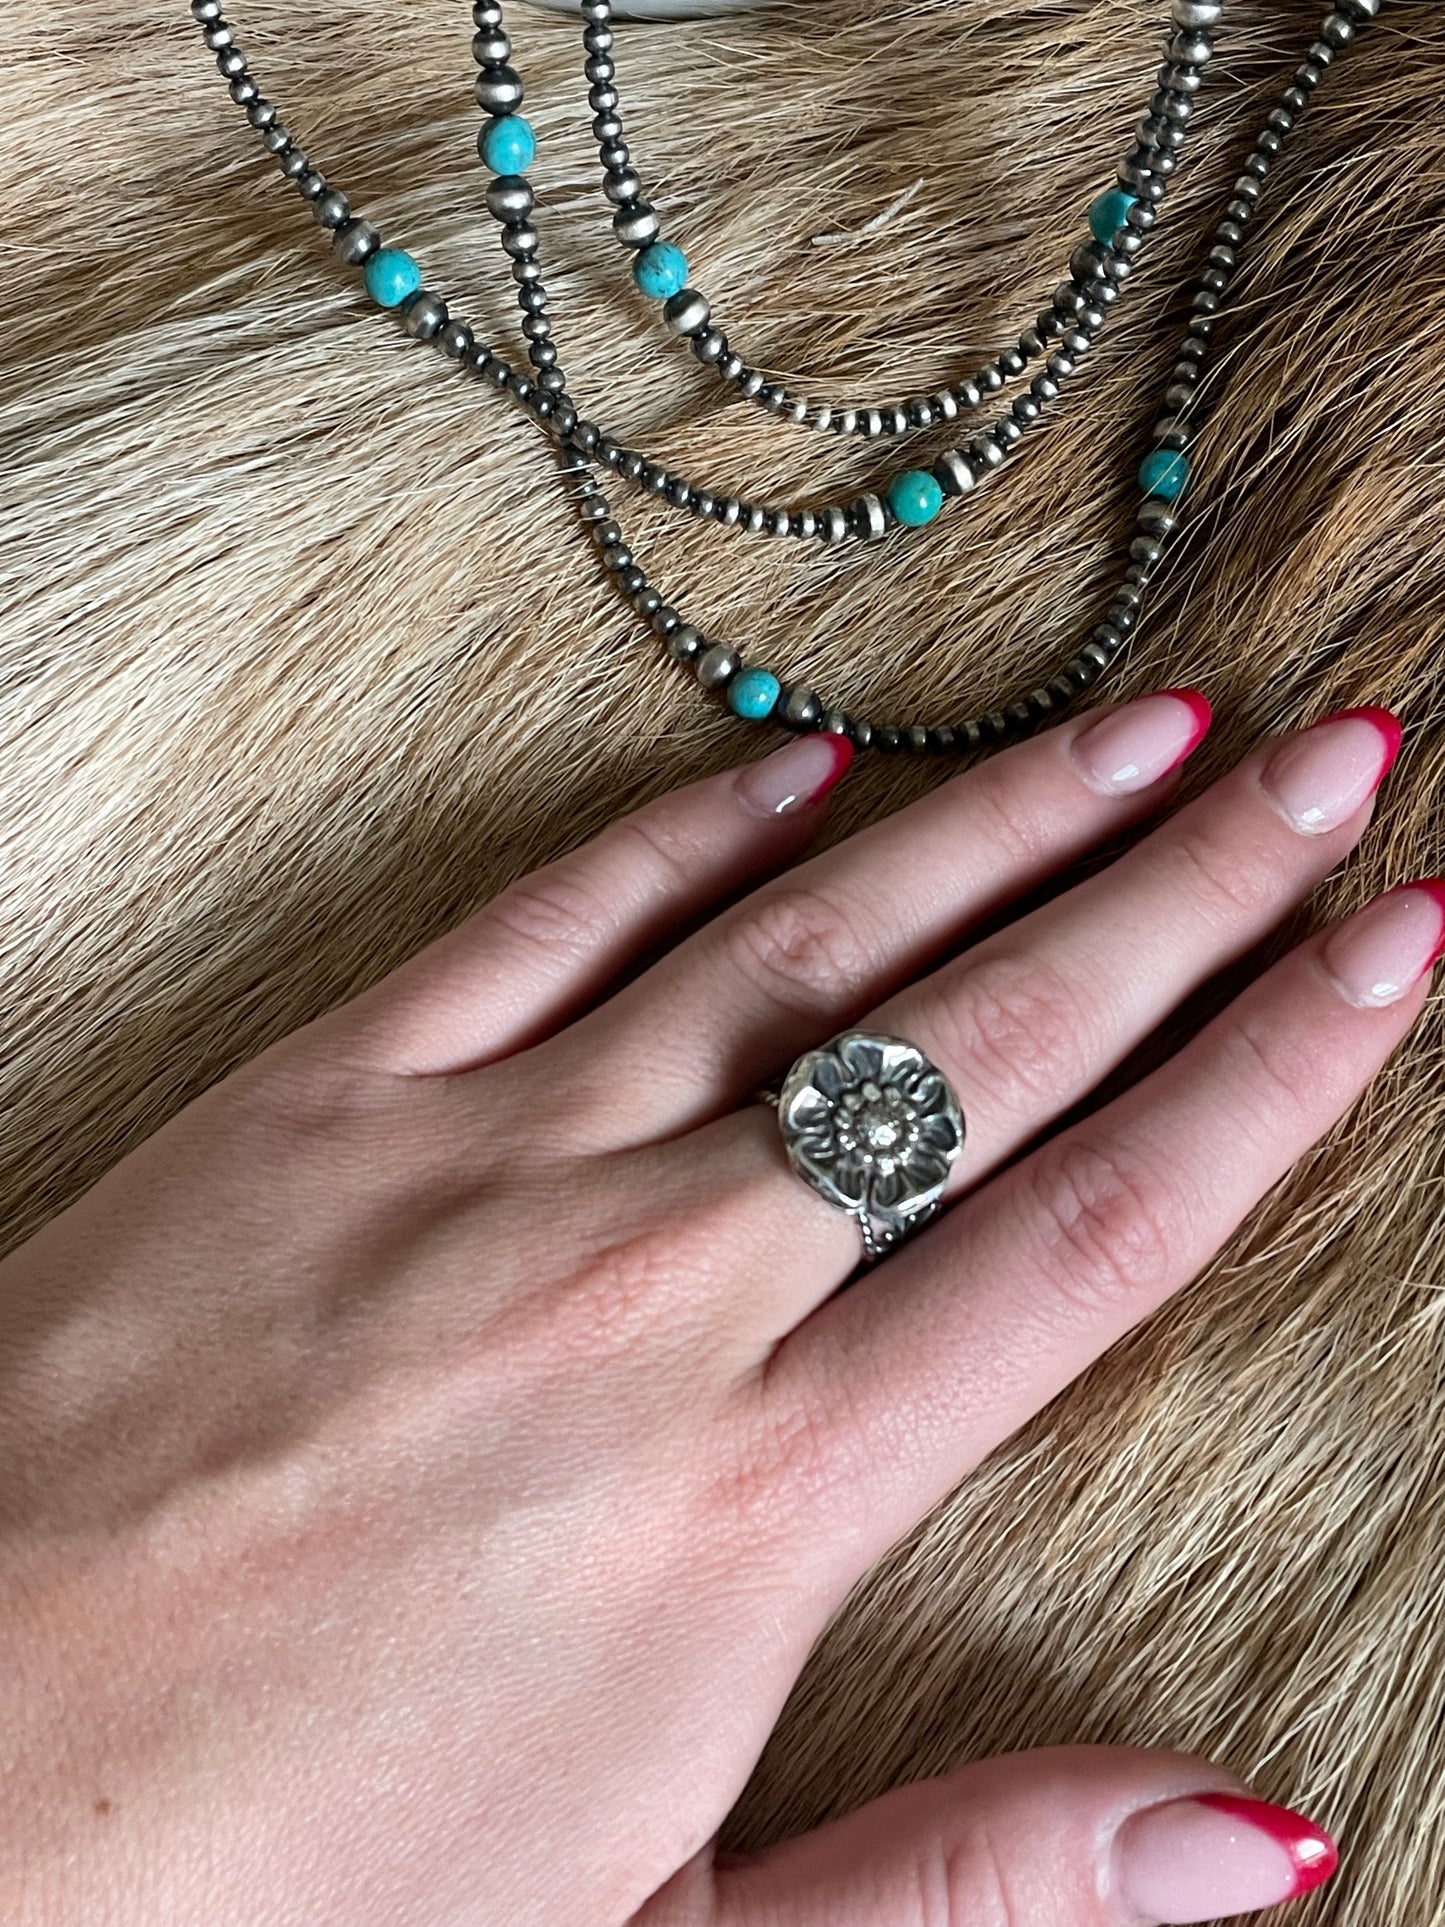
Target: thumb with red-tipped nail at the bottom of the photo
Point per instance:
(1061, 1837)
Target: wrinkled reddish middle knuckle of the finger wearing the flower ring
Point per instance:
(1018, 1022)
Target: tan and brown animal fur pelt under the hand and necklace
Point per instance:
(302, 658)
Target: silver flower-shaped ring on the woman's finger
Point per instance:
(874, 1128)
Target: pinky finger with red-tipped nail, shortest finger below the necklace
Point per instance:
(554, 941)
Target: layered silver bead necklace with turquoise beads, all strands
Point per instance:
(1053, 346)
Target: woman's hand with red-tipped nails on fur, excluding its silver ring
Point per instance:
(427, 1464)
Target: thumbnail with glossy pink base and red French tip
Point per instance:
(1219, 1855)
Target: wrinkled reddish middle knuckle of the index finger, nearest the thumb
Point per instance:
(1111, 1225)
